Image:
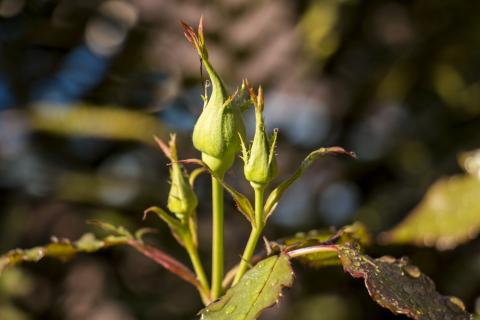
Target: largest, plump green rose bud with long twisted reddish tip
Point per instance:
(216, 133)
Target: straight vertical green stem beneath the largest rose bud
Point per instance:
(217, 238)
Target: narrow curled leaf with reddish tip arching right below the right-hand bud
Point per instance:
(277, 193)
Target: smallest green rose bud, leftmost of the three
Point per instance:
(182, 200)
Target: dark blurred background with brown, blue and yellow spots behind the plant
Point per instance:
(85, 84)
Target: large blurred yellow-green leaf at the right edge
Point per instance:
(448, 215)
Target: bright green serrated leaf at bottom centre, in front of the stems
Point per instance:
(258, 289)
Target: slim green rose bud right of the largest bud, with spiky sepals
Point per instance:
(260, 160)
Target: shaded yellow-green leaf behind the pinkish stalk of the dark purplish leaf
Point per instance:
(315, 247)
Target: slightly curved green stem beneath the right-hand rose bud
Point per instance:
(254, 235)
